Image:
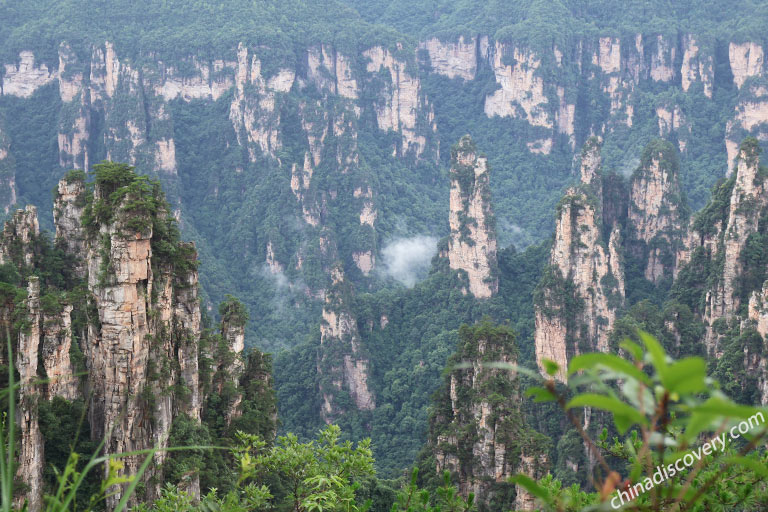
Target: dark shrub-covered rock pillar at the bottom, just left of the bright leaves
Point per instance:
(480, 441)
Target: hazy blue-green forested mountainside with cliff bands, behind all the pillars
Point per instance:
(292, 135)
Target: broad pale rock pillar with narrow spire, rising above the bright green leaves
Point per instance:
(576, 302)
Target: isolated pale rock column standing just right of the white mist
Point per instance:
(472, 246)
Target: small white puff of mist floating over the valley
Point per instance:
(407, 259)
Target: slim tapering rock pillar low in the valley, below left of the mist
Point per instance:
(342, 364)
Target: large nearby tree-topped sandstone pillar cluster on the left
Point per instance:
(141, 343)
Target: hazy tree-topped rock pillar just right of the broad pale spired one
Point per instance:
(657, 213)
